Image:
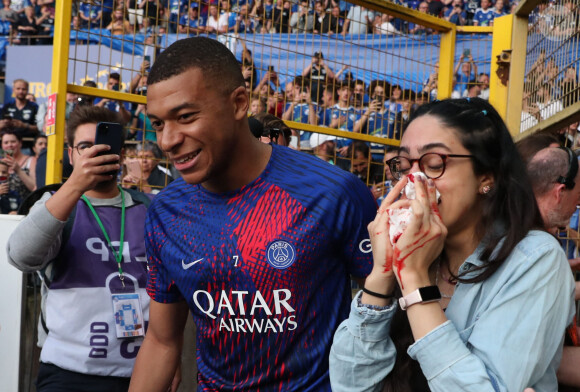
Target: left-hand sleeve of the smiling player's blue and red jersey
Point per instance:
(160, 286)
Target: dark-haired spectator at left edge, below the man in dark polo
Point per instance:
(21, 166)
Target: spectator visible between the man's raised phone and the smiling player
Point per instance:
(143, 171)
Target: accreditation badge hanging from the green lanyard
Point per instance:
(128, 315)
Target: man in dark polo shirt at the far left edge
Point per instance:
(19, 115)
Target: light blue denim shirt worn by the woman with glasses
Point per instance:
(503, 334)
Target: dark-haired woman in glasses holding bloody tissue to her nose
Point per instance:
(472, 296)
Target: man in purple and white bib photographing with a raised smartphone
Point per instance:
(87, 241)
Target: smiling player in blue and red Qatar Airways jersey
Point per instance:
(257, 240)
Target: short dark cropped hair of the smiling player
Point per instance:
(215, 61)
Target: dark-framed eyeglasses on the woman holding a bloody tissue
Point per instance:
(432, 164)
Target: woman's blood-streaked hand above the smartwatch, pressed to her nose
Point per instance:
(422, 241)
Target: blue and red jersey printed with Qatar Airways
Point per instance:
(264, 269)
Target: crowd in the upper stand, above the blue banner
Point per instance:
(32, 21)
